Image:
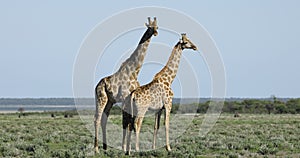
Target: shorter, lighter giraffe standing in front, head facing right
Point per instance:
(156, 95)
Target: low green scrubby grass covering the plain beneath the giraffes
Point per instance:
(39, 135)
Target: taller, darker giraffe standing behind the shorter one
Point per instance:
(116, 87)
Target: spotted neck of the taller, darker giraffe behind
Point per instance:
(136, 59)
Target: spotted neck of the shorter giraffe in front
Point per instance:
(168, 73)
